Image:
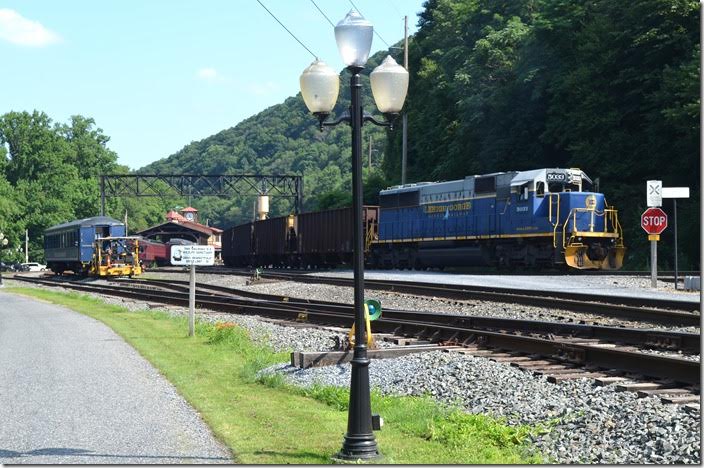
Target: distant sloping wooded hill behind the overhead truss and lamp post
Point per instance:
(284, 139)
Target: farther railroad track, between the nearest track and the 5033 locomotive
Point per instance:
(652, 310)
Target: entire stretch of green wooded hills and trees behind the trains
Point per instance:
(608, 86)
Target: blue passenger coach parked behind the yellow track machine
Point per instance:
(71, 246)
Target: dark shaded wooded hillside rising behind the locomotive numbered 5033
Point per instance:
(608, 86)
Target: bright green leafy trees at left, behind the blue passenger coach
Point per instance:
(50, 176)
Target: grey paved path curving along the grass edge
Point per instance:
(72, 391)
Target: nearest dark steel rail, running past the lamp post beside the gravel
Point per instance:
(649, 365)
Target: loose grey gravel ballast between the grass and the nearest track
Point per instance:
(588, 424)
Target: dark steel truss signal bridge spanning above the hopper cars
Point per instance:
(160, 185)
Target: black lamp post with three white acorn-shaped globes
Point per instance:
(320, 86)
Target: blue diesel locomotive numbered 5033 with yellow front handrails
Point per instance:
(543, 217)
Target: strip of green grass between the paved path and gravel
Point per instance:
(264, 420)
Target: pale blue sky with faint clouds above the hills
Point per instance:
(156, 75)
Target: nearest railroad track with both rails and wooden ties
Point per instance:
(560, 349)
